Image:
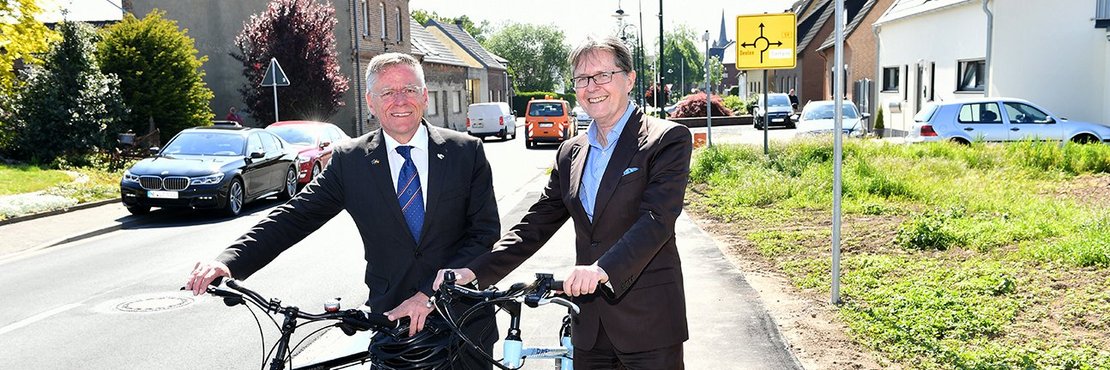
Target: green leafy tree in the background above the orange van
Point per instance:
(537, 55)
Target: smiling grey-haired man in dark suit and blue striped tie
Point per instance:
(422, 199)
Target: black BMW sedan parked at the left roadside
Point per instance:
(211, 168)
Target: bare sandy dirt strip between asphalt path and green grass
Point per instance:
(810, 324)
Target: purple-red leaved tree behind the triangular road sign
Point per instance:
(300, 34)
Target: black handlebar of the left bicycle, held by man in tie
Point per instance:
(354, 319)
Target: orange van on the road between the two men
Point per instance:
(549, 121)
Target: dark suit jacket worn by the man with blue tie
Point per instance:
(461, 218)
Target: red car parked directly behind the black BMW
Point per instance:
(314, 143)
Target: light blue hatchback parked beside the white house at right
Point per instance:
(1000, 119)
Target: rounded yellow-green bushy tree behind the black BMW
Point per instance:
(160, 75)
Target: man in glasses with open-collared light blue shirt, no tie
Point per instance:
(623, 185)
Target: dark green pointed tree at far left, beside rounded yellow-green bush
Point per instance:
(69, 108)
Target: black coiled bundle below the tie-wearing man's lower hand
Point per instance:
(432, 348)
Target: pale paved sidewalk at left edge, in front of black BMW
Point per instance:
(53, 231)
